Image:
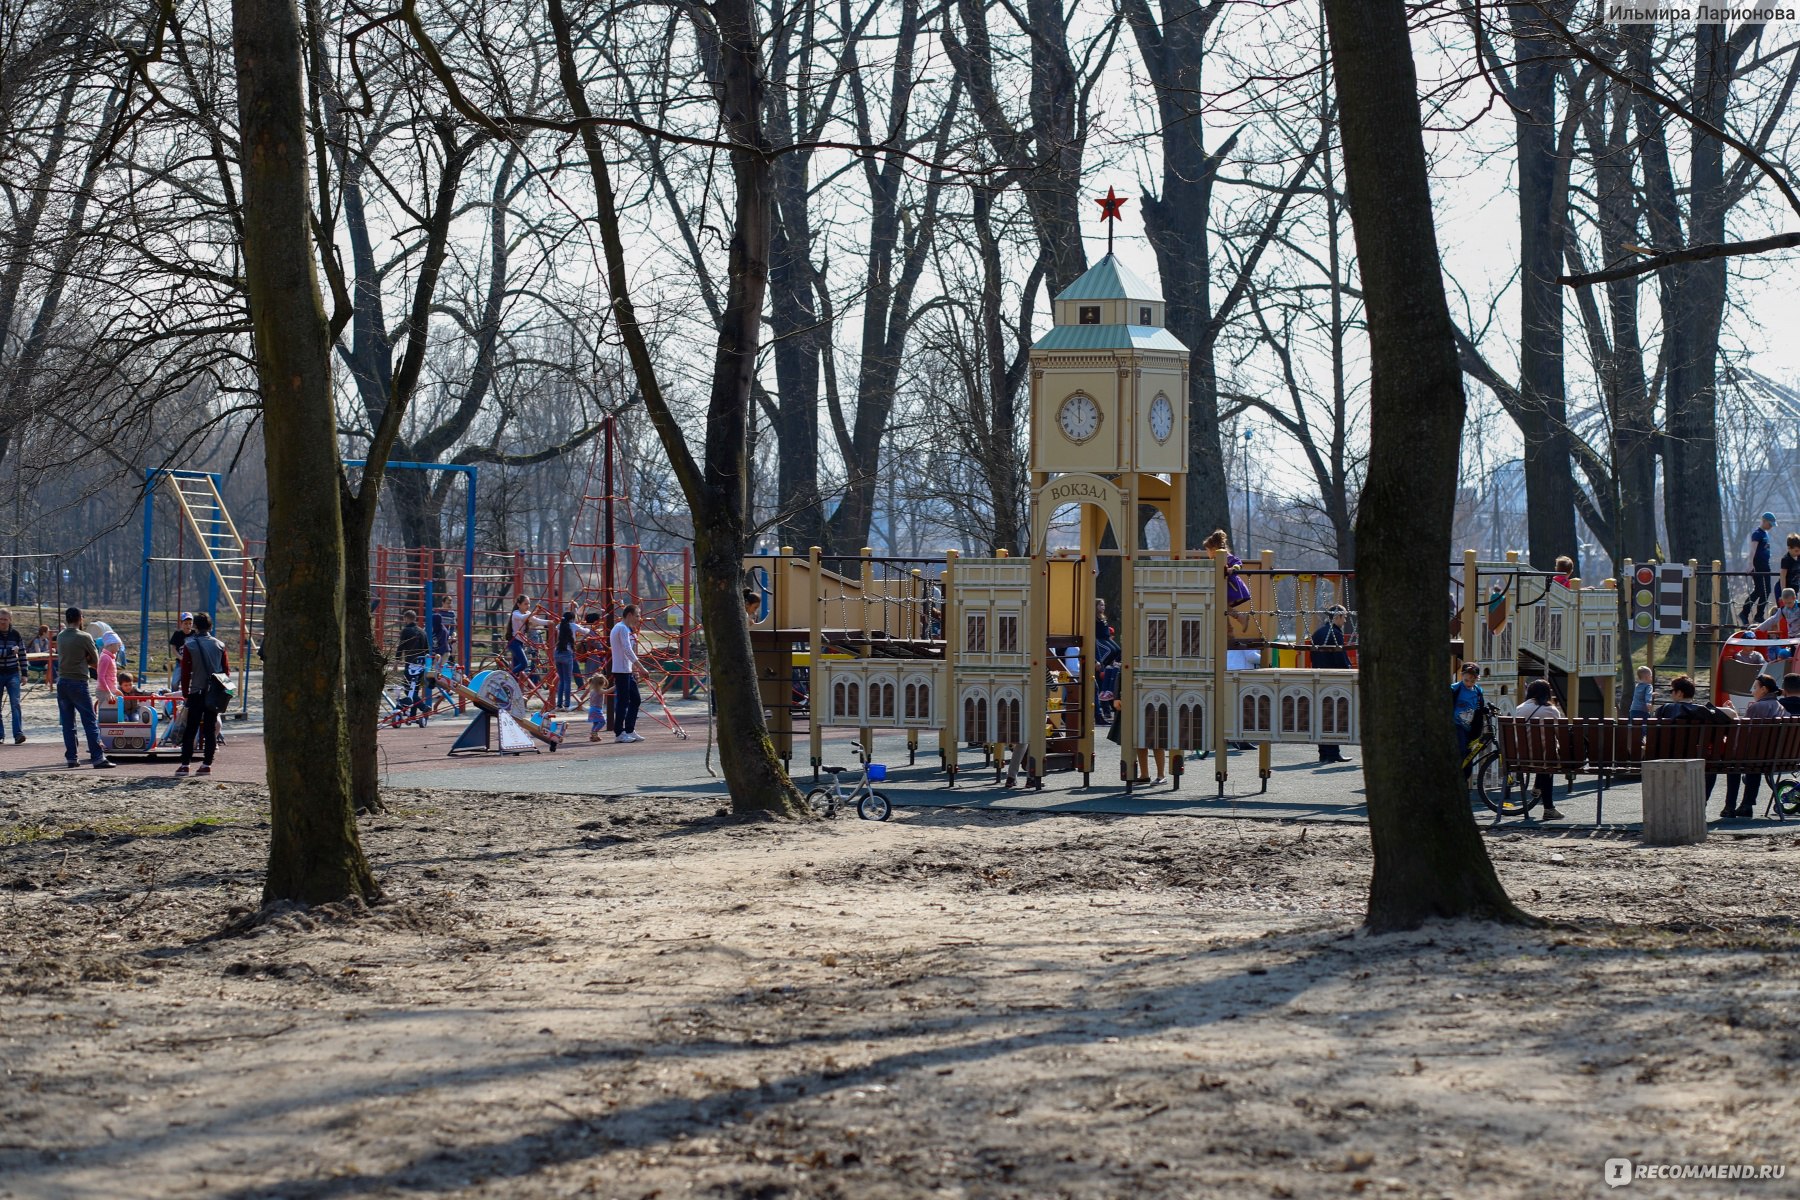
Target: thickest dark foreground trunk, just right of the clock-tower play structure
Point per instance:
(1430, 861)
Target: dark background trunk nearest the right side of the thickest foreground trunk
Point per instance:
(1549, 485)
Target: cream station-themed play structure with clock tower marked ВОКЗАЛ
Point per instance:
(1002, 652)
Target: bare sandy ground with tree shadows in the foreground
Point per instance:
(573, 996)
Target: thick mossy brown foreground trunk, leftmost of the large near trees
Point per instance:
(314, 854)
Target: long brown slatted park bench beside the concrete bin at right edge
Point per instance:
(1615, 746)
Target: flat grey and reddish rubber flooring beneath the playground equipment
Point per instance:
(1300, 787)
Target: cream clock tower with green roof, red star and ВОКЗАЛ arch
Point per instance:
(1110, 433)
